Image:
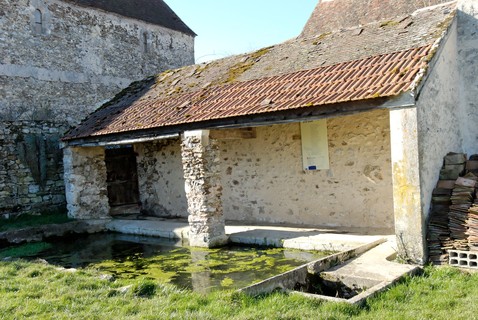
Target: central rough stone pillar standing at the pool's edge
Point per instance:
(200, 157)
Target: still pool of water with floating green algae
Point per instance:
(201, 270)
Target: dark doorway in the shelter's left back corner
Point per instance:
(122, 181)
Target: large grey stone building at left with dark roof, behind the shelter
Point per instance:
(59, 61)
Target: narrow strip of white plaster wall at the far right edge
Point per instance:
(468, 70)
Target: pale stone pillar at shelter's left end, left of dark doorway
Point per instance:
(85, 183)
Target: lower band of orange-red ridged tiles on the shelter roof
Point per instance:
(383, 75)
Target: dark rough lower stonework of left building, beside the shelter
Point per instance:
(30, 171)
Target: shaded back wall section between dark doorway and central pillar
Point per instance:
(161, 180)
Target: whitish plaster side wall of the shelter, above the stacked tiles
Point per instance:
(440, 117)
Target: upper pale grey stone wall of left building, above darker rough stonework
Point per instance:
(80, 58)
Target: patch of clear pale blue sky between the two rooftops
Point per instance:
(227, 27)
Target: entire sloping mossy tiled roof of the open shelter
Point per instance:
(334, 67)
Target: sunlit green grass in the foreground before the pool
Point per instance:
(39, 291)
